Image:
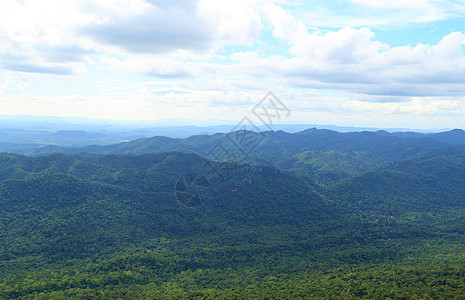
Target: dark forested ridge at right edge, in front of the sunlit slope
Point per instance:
(409, 186)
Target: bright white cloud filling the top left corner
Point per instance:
(35, 37)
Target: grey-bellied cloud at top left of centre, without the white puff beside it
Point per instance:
(152, 29)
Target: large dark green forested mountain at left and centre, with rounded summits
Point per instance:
(66, 207)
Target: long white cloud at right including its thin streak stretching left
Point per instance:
(347, 60)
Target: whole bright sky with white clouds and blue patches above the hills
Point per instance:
(384, 63)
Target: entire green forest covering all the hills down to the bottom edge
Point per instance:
(311, 214)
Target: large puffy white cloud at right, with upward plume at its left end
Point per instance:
(353, 60)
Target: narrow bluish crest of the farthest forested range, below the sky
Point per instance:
(287, 143)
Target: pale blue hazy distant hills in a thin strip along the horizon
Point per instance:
(26, 140)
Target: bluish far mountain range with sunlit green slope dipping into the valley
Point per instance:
(325, 156)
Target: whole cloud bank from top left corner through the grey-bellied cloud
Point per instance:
(52, 36)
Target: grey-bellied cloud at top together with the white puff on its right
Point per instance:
(160, 26)
